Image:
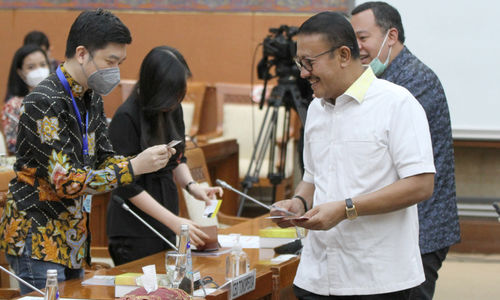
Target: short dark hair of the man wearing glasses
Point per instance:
(335, 28)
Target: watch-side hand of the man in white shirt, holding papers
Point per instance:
(323, 217)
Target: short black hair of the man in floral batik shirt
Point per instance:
(94, 29)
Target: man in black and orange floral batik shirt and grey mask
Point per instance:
(64, 155)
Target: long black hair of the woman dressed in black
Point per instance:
(160, 89)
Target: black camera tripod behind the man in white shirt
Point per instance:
(286, 94)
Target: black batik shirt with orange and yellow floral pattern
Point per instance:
(53, 178)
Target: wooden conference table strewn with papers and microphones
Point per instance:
(273, 281)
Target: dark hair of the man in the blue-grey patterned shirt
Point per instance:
(386, 16)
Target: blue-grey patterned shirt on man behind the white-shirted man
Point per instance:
(438, 216)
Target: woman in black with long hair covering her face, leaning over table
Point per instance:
(152, 115)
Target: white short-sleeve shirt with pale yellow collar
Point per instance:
(375, 134)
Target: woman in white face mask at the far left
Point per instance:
(30, 66)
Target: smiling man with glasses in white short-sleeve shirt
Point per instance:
(368, 162)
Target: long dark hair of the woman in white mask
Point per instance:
(15, 84)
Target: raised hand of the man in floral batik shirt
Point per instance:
(152, 159)
